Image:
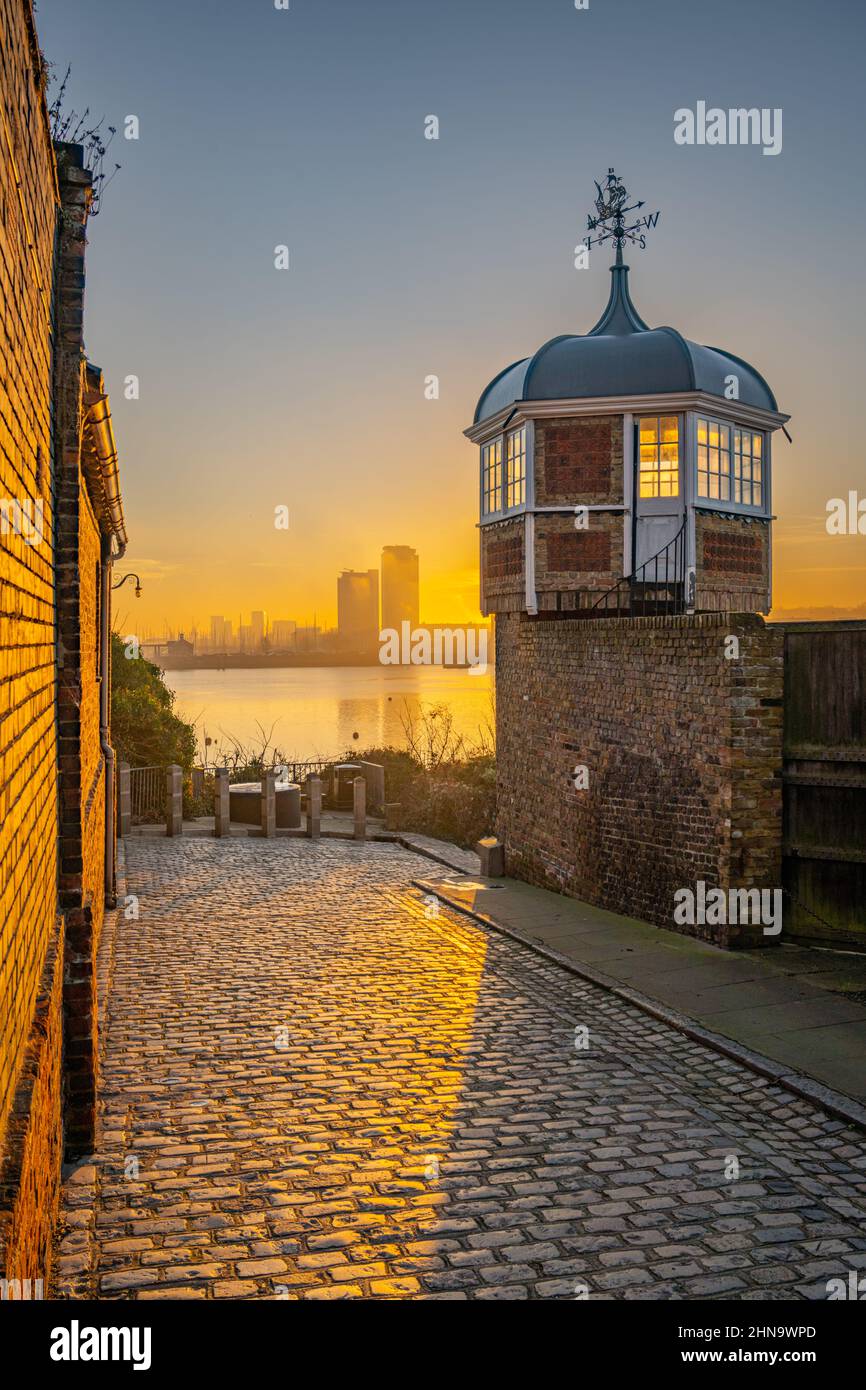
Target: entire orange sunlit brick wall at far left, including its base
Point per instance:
(30, 1028)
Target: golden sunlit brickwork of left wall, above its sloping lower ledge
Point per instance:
(28, 776)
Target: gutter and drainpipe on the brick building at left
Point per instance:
(98, 419)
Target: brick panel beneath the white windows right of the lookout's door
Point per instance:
(733, 561)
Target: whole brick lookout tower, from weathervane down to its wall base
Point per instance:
(625, 516)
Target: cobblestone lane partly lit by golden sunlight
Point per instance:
(316, 1085)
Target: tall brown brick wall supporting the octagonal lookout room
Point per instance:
(683, 750)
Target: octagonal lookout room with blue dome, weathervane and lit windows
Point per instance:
(625, 471)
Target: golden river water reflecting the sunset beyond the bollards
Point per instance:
(316, 711)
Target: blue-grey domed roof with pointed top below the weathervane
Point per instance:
(622, 357)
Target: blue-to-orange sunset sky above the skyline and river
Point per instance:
(454, 258)
